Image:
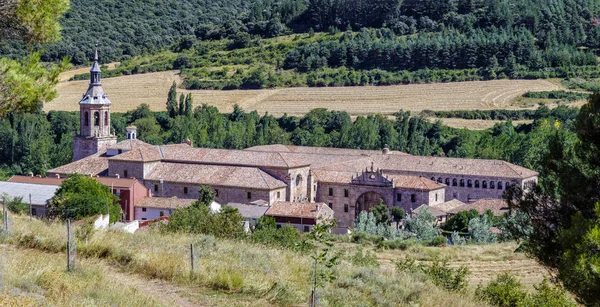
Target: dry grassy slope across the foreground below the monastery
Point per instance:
(153, 269)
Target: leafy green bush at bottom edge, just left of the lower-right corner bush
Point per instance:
(504, 291)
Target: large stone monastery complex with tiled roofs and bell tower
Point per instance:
(348, 180)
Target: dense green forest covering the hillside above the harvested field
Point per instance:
(270, 43)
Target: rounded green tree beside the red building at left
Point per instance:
(81, 196)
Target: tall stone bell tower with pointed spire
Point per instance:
(94, 119)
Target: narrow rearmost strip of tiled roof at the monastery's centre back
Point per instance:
(320, 150)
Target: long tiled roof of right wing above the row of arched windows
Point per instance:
(453, 166)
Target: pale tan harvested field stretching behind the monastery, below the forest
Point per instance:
(128, 92)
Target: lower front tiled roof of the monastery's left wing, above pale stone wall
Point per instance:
(215, 175)
